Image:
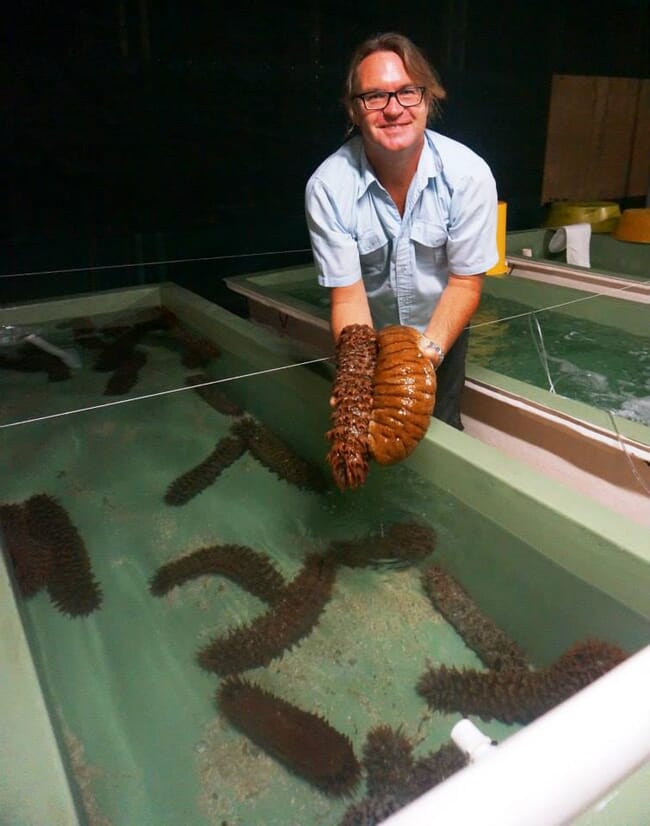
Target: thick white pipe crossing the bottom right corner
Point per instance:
(556, 767)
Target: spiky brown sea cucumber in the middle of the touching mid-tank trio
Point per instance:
(268, 636)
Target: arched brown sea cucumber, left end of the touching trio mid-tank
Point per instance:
(251, 570)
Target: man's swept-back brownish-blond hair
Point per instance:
(416, 64)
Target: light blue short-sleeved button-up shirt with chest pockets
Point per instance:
(449, 226)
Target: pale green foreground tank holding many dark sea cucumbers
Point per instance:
(199, 627)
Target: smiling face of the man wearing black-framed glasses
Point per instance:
(395, 128)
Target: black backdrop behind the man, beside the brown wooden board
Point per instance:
(140, 131)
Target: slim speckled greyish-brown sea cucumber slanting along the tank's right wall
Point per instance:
(494, 647)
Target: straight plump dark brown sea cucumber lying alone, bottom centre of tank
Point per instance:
(302, 741)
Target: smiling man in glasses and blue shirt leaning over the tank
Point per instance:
(402, 220)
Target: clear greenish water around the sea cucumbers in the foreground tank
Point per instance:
(136, 714)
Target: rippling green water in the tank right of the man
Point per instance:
(602, 366)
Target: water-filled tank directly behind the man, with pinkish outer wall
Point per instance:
(558, 374)
